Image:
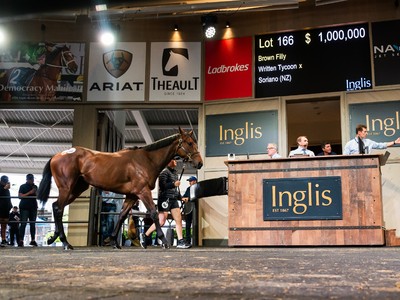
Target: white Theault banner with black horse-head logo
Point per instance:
(175, 71)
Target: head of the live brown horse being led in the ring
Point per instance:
(187, 149)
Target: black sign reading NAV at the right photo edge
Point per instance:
(386, 49)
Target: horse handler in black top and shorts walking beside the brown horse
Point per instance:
(168, 194)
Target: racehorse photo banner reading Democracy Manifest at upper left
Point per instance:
(42, 72)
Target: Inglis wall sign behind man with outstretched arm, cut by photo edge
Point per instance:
(382, 119)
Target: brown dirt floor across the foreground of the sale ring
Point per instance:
(200, 273)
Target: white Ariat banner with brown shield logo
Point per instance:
(117, 72)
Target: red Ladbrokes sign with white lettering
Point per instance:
(228, 69)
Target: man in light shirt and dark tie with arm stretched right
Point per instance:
(361, 145)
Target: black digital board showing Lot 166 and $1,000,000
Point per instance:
(313, 61)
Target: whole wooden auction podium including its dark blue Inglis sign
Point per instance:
(263, 210)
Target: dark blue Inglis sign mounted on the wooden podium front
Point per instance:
(314, 198)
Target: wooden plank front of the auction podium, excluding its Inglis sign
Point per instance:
(362, 222)
